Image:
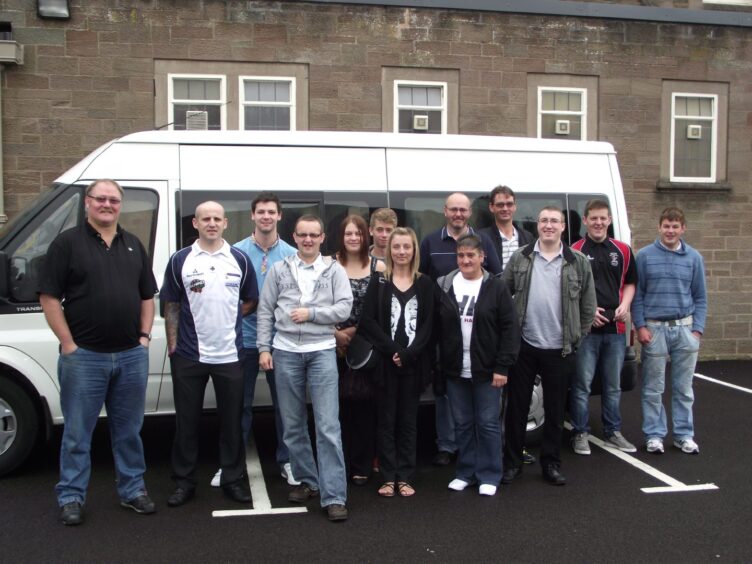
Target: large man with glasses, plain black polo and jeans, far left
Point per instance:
(97, 293)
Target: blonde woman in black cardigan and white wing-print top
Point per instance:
(398, 320)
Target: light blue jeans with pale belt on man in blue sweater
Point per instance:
(678, 344)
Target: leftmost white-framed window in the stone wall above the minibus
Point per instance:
(196, 101)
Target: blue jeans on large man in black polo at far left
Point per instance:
(89, 380)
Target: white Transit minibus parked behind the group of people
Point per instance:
(165, 174)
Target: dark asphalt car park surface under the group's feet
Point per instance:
(610, 510)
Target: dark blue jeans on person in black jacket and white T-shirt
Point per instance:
(476, 408)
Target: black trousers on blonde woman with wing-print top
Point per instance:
(397, 427)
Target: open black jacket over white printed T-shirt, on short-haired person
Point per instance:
(495, 338)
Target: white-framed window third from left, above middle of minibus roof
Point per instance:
(420, 107)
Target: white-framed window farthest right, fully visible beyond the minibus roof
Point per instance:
(694, 131)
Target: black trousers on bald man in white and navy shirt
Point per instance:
(189, 379)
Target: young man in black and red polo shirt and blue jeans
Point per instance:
(615, 276)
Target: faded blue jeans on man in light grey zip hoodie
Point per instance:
(316, 371)
